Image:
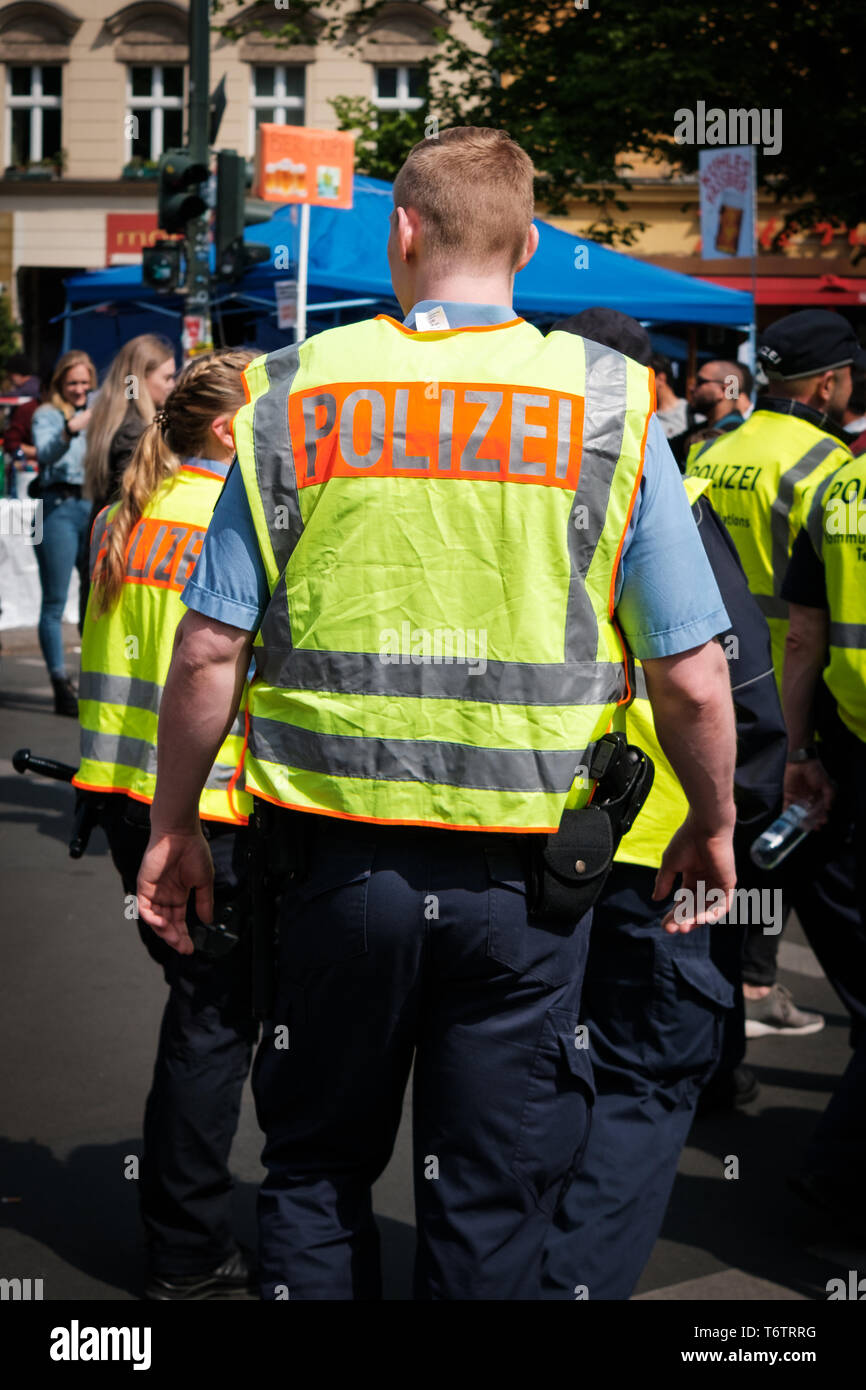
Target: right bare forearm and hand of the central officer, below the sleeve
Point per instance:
(694, 717)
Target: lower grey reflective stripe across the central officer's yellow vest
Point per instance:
(398, 760)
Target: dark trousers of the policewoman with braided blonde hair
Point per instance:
(204, 1058)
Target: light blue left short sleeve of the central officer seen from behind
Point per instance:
(230, 582)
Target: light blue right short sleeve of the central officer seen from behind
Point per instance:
(667, 598)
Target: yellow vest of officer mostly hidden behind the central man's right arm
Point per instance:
(667, 807)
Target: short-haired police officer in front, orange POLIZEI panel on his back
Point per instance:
(441, 534)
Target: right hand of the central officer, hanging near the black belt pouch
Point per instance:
(701, 858)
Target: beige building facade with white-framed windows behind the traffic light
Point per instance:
(94, 94)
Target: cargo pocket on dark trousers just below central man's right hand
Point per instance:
(692, 1000)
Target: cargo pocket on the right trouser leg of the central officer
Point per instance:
(555, 1121)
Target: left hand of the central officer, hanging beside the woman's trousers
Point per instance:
(174, 867)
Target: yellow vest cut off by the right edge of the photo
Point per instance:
(838, 528)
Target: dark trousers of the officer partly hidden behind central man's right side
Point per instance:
(654, 1006)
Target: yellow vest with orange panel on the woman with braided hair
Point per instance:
(126, 653)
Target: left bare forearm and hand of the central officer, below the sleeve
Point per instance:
(199, 704)
